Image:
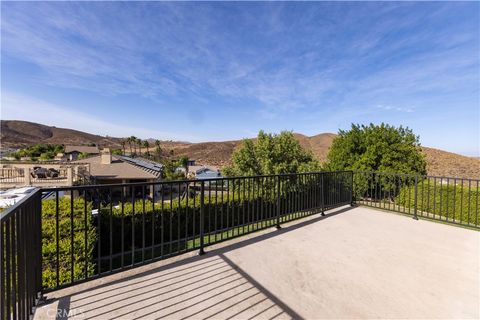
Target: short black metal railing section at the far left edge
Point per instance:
(21, 257)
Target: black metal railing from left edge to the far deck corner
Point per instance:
(91, 231)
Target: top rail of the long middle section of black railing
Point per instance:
(198, 181)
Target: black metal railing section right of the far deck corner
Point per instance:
(451, 200)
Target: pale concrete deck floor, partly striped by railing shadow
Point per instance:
(353, 264)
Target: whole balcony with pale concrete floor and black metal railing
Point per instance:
(351, 262)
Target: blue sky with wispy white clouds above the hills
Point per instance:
(219, 71)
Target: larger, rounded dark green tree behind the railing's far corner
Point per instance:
(381, 148)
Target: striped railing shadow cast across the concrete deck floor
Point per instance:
(208, 286)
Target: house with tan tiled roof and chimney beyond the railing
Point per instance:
(114, 169)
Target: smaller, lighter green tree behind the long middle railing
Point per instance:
(271, 154)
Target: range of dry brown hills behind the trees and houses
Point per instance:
(21, 133)
